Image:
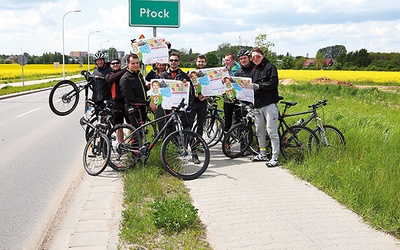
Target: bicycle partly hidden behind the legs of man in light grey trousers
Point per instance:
(296, 141)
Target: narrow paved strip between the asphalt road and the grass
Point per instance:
(93, 218)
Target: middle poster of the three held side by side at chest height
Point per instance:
(208, 81)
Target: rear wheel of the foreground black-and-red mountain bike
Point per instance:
(123, 145)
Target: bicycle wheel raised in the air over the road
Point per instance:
(64, 97)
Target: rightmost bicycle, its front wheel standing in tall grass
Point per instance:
(328, 135)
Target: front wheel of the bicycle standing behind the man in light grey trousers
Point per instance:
(237, 140)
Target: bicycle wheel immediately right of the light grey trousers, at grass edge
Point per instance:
(298, 142)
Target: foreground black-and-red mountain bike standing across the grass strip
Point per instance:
(177, 150)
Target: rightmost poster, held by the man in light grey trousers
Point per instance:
(239, 88)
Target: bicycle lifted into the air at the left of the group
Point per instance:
(64, 96)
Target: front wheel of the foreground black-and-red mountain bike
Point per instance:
(185, 155)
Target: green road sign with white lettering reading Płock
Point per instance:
(154, 13)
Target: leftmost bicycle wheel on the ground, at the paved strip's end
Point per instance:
(96, 154)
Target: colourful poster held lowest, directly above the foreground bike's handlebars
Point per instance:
(168, 93)
